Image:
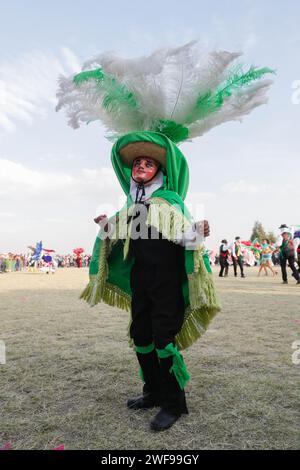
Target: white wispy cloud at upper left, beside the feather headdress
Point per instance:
(28, 85)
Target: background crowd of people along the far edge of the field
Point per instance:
(238, 254)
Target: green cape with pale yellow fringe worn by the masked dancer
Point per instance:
(110, 268)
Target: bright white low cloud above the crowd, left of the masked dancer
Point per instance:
(53, 206)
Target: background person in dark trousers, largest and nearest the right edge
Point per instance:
(287, 254)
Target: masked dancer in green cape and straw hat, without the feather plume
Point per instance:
(153, 260)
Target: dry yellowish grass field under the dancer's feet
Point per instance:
(69, 370)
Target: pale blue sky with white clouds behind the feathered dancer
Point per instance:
(53, 179)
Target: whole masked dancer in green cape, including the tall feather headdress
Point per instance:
(151, 104)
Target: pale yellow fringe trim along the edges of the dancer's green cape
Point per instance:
(202, 296)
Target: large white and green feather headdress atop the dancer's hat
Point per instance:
(181, 92)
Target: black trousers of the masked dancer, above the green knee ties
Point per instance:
(157, 304)
